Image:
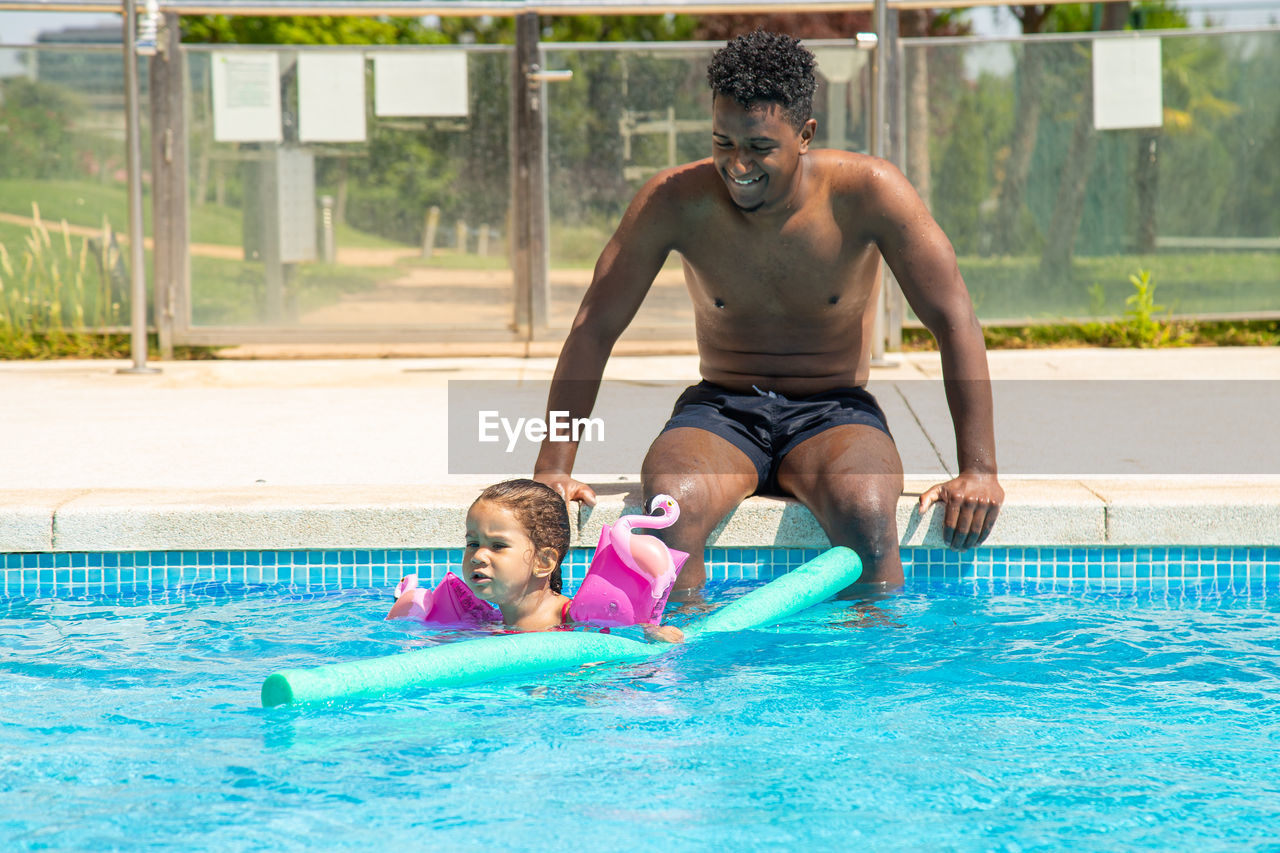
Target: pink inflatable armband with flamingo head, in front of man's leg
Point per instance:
(632, 576)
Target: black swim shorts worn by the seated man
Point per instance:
(769, 426)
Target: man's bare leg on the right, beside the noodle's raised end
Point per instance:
(851, 478)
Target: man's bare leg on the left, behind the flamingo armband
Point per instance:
(708, 477)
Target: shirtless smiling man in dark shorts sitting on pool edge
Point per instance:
(781, 248)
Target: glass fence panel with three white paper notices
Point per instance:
(382, 203)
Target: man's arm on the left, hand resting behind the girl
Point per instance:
(623, 277)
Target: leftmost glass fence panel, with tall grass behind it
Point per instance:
(65, 190)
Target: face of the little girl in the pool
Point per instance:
(501, 564)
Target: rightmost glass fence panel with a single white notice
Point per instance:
(1052, 217)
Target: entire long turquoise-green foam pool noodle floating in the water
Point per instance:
(495, 658)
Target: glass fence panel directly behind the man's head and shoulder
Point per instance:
(630, 112)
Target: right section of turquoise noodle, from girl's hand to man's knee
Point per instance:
(812, 583)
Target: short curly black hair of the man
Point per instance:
(766, 67)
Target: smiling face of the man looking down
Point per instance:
(757, 152)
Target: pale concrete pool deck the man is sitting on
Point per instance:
(1096, 448)
